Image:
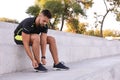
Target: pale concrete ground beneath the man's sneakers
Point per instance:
(107, 68)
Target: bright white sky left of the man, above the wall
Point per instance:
(15, 9)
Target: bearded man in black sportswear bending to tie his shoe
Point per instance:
(28, 34)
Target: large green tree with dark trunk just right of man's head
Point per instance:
(61, 10)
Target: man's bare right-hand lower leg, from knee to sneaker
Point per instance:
(53, 48)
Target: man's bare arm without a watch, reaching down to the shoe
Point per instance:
(26, 42)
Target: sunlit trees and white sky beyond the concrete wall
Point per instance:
(90, 17)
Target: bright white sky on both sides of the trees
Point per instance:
(15, 9)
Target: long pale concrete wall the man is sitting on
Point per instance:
(71, 48)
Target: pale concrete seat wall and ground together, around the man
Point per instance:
(90, 58)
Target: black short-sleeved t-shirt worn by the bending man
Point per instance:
(28, 26)
